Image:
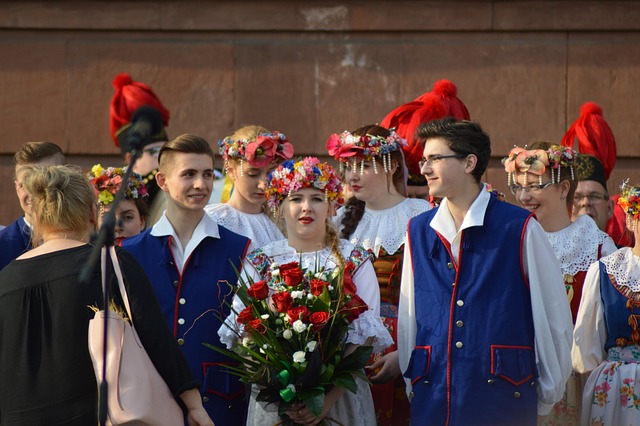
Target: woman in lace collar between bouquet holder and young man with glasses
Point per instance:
(376, 217)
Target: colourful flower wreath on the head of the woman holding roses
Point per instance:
(292, 176)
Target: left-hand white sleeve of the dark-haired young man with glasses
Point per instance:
(407, 327)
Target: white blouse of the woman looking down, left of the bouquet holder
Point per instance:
(259, 228)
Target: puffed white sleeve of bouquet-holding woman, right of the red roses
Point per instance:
(368, 324)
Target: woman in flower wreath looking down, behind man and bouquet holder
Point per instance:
(250, 154)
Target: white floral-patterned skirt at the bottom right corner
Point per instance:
(609, 394)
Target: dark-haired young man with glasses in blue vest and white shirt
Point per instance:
(484, 325)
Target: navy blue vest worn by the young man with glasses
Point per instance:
(474, 360)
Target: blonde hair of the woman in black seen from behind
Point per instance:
(61, 198)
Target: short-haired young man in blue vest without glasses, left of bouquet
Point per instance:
(190, 262)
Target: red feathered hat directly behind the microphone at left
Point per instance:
(131, 95)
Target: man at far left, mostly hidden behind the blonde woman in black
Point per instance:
(15, 239)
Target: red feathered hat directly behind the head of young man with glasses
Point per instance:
(441, 102)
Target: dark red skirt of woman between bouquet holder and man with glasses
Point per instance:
(390, 399)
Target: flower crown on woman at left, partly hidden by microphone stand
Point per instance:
(106, 183)
